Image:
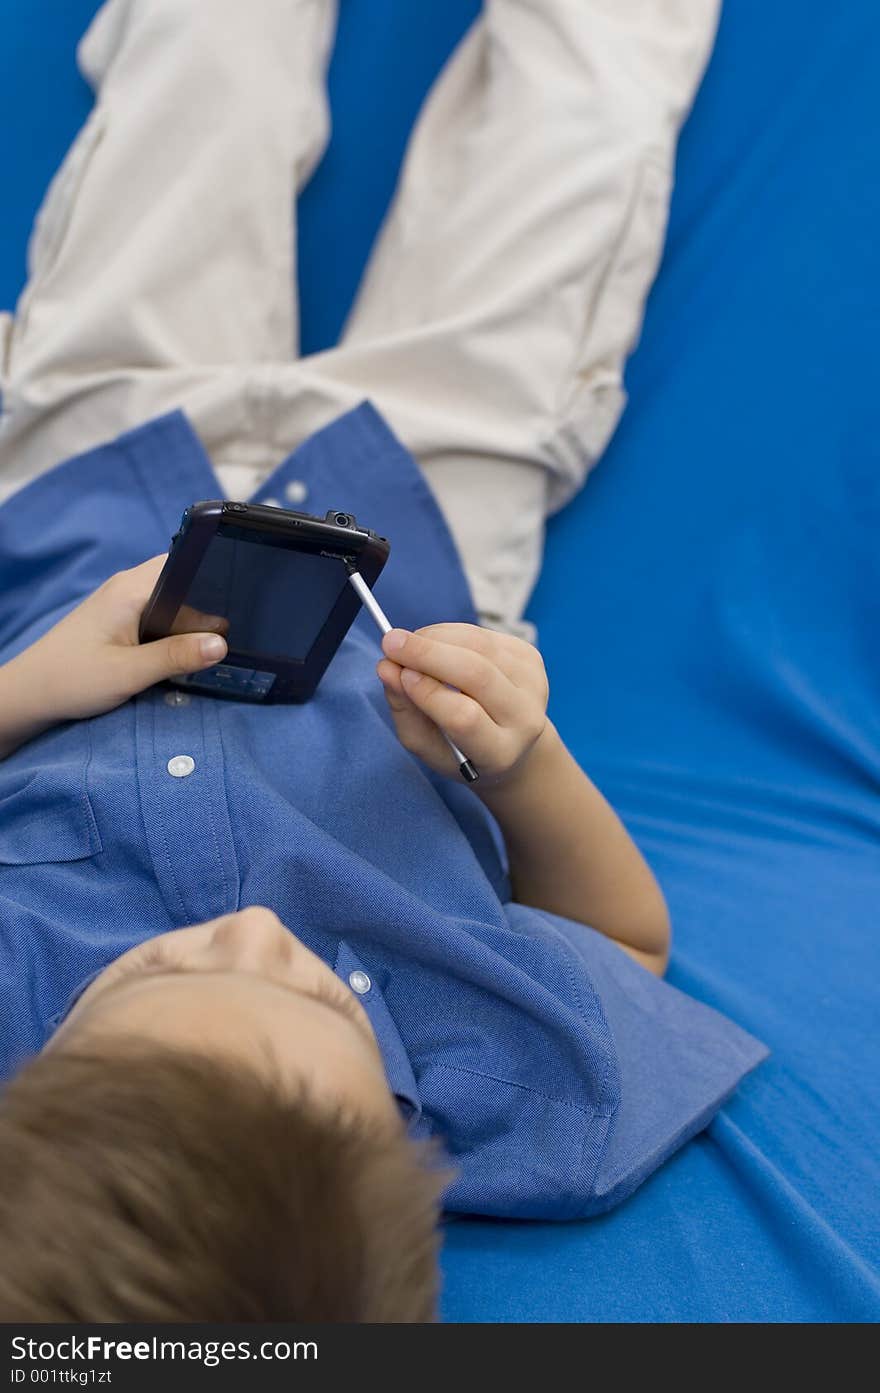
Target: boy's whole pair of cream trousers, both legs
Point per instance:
(501, 302)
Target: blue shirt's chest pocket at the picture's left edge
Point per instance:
(45, 807)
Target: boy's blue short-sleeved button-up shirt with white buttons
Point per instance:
(556, 1071)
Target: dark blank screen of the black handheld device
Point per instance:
(274, 600)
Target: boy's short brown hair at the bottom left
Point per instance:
(158, 1185)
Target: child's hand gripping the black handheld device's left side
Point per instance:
(93, 662)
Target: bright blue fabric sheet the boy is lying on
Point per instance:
(711, 618)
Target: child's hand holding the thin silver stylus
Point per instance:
(487, 690)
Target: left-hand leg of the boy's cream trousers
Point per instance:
(165, 253)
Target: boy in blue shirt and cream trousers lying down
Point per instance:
(258, 963)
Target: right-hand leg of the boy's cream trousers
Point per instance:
(509, 283)
